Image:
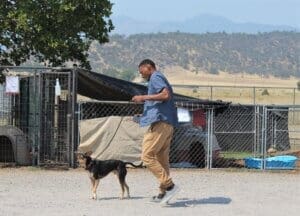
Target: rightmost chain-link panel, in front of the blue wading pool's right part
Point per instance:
(282, 138)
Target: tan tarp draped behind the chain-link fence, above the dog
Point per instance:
(112, 138)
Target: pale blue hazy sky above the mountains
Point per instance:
(276, 12)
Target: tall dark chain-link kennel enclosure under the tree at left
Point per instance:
(37, 107)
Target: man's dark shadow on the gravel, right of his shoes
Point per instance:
(184, 202)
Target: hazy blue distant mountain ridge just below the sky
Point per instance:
(200, 24)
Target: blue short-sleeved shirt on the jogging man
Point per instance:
(155, 111)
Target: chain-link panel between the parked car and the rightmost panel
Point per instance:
(236, 133)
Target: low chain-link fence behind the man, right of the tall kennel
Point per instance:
(208, 137)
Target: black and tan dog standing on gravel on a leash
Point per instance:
(100, 168)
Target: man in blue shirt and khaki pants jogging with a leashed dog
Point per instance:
(160, 114)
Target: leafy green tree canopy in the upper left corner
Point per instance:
(52, 31)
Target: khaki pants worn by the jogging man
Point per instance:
(155, 152)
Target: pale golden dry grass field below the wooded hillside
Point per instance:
(236, 88)
